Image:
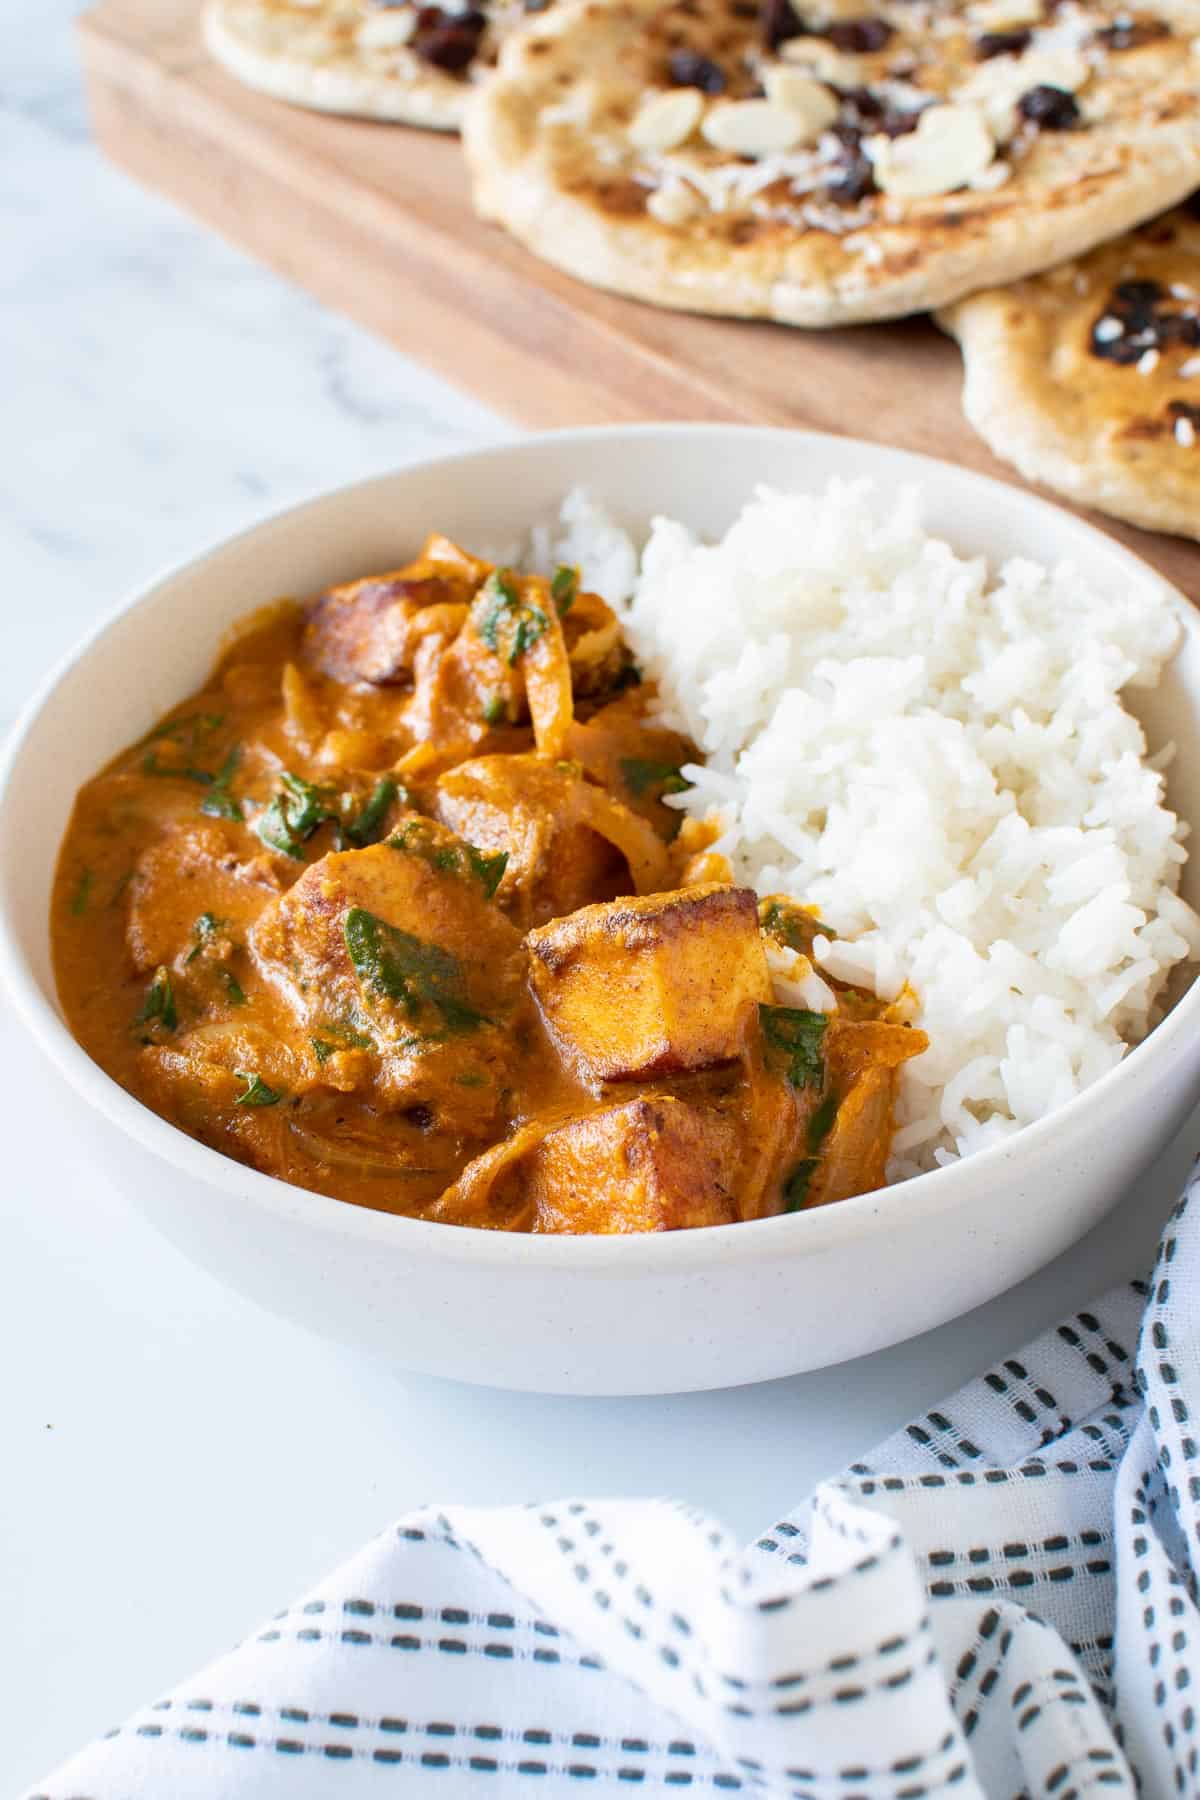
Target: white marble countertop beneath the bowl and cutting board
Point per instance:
(175, 1462)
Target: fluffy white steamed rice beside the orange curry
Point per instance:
(938, 759)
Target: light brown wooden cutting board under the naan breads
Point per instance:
(377, 222)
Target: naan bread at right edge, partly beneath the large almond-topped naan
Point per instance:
(1089, 377)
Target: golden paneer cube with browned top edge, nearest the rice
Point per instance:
(650, 985)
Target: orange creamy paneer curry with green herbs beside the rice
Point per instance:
(402, 910)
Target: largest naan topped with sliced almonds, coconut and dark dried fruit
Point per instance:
(836, 163)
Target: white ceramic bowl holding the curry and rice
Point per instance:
(641, 1315)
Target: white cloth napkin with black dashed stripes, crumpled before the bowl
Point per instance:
(999, 1601)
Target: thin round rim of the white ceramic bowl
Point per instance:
(602, 1257)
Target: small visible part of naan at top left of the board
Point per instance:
(370, 58)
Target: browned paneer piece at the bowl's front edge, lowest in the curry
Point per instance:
(656, 1164)
